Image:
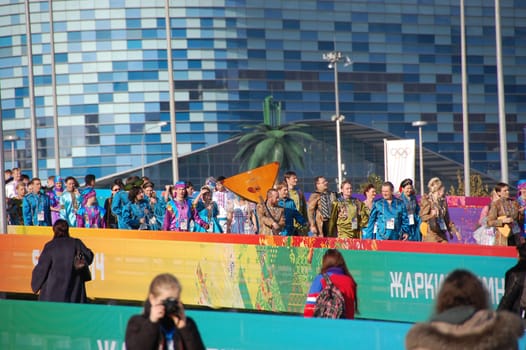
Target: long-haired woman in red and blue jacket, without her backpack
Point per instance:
(333, 264)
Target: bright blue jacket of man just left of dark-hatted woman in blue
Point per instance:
(383, 214)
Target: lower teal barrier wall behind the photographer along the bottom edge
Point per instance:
(51, 326)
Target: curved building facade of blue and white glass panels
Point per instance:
(112, 89)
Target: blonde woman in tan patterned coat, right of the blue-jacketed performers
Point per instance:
(434, 211)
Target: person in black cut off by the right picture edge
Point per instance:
(514, 284)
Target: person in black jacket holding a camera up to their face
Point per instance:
(163, 324)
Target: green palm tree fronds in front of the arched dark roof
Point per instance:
(265, 143)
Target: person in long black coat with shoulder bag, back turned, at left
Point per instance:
(54, 275)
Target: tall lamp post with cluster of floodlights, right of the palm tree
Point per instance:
(334, 58)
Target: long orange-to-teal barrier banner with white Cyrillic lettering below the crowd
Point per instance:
(397, 281)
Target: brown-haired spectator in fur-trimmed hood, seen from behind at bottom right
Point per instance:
(463, 319)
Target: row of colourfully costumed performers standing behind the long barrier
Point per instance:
(286, 211)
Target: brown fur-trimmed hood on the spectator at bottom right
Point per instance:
(467, 329)
